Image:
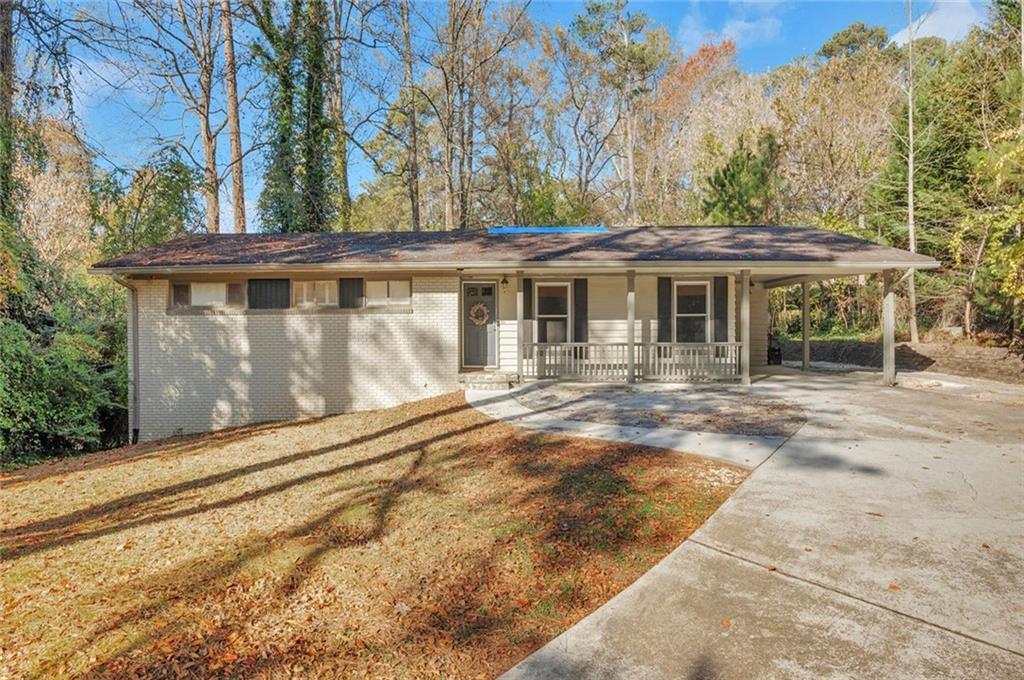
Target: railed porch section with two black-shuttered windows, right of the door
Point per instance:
(668, 327)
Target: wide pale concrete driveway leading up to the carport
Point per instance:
(884, 539)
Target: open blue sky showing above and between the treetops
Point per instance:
(769, 34)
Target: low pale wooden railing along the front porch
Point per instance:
(679, 362)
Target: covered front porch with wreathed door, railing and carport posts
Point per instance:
(627, 327)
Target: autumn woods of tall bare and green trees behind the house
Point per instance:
(470, 115)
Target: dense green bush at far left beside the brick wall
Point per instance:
(55, 394)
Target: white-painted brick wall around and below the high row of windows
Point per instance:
(206, 371)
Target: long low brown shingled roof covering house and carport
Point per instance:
(647, 247)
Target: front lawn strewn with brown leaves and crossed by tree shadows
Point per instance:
(421, 540)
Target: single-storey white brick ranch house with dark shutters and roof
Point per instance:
(232, 330)
